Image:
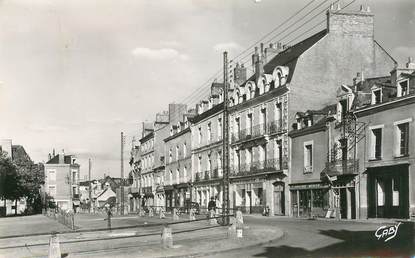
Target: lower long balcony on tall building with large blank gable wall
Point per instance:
(270, 165)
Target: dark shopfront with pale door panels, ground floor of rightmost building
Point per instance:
(388, 192)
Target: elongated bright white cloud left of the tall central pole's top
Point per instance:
(159, 54)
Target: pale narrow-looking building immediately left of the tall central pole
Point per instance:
(207, 130)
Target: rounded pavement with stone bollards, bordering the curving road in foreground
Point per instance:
(191, 244)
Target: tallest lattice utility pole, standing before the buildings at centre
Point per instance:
(225, 134)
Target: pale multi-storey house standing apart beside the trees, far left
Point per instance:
(62, 180)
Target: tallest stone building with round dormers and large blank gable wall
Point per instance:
(293, 79)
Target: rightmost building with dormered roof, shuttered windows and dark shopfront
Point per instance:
(386, 110)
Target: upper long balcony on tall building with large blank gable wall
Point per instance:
(257, 131)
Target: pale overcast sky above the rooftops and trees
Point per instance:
(74, 74)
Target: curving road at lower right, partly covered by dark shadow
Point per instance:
(316, 238)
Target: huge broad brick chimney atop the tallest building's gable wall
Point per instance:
(359, 23)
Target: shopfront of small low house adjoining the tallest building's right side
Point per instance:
(309, 200)
